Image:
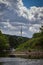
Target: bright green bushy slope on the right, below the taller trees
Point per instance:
(32, 44)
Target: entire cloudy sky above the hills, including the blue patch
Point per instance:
(14, 13)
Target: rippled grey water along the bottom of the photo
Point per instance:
(20, 61)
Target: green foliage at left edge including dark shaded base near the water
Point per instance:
(4, 44)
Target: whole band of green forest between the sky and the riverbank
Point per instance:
(19, 43)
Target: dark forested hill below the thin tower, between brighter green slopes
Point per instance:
(15, 41)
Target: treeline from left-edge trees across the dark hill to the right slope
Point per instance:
(7, 42)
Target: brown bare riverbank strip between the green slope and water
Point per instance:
(31, 55)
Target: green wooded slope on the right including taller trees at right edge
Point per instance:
(35, 43)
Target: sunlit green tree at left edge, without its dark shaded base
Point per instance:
(3, 42)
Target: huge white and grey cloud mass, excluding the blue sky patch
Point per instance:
(14, 12)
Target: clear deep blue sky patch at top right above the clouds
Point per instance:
(30, 3)
